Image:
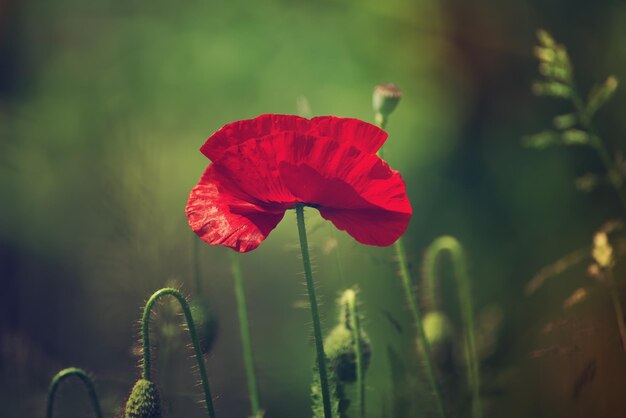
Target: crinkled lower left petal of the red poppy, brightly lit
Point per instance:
(222, 219)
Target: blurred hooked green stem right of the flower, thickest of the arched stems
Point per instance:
(453, 246)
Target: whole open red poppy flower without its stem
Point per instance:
(262, 167)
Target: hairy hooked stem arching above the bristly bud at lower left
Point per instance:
(145, 331)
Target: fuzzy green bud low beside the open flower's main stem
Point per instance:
(340, 349)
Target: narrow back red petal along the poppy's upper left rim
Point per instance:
(243, 130)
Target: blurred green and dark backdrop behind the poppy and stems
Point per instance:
(104, 104)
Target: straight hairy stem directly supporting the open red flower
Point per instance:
(317, 327)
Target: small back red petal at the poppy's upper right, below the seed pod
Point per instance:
(349, 131)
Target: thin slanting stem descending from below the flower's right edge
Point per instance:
(405, 277)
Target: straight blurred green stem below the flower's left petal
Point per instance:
(244, 329)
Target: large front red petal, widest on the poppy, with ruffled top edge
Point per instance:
(355, 190)
